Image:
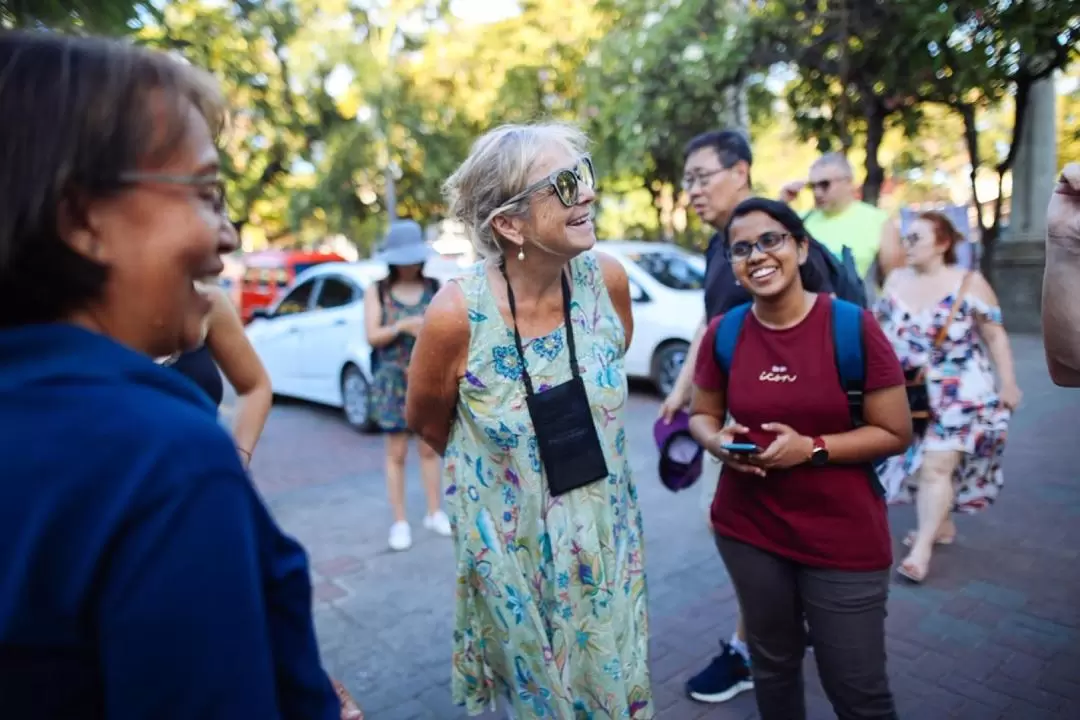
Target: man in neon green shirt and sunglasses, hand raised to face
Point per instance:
(840, 219)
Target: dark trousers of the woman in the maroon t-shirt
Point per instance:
(845, 613)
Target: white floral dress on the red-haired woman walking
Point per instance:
(966, 412)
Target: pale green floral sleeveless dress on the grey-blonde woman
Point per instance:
(551, 595)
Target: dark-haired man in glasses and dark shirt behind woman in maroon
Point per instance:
(717, 178)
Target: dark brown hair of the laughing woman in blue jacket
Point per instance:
(78, 113)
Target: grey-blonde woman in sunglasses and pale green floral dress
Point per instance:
(518, 381)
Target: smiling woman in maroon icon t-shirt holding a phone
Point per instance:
(804, 533)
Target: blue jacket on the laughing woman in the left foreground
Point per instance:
(141, 576)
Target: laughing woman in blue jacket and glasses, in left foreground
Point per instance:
(141, 576)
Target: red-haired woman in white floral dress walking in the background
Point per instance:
(947, 321)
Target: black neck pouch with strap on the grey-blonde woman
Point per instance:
(566, 436)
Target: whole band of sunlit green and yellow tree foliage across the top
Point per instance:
(327, 94)
